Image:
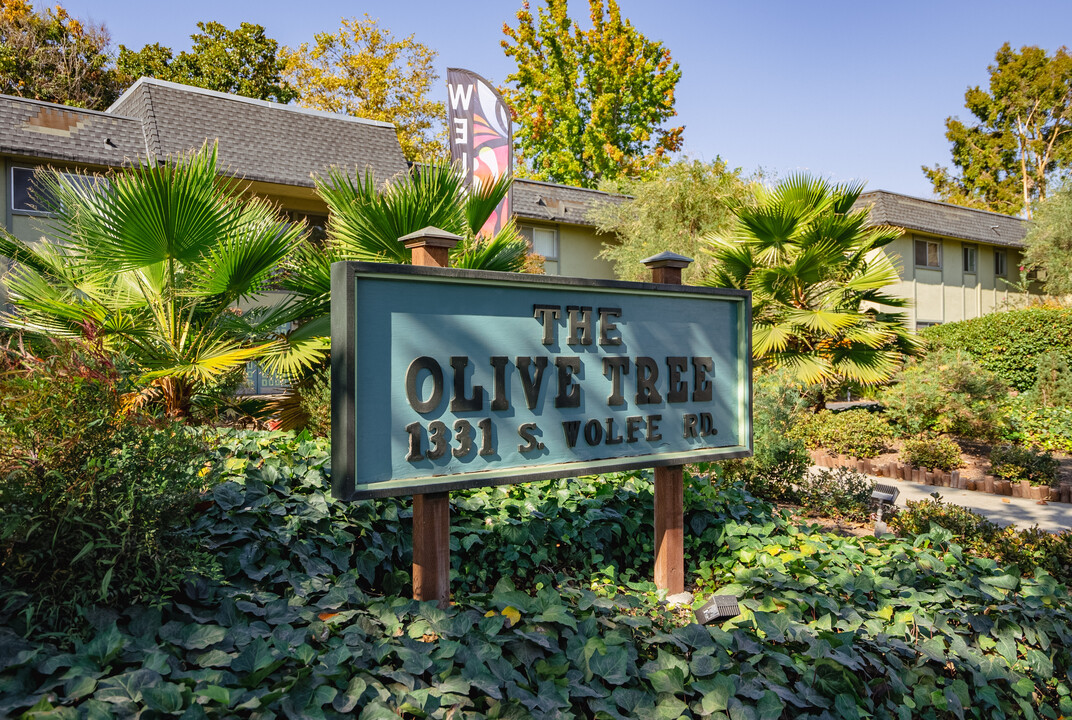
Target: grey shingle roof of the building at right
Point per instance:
(950, 221)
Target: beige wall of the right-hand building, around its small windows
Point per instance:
(949, 294)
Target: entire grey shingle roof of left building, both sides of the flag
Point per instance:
(258, 141)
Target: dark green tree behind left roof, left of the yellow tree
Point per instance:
(244, 62)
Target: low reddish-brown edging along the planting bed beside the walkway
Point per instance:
(941, 479)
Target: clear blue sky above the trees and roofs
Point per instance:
(851, 91)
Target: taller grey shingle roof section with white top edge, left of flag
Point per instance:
(259, 140)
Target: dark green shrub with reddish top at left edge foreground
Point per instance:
(91, 500)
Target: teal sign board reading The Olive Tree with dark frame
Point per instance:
(451, 379)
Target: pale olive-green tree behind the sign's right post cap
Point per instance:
(672, 211)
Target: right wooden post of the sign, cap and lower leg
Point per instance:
(669, 479)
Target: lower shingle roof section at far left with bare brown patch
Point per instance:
(35, 129)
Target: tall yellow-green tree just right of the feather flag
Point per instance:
(590, 106)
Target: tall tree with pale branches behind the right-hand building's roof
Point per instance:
(1021, 138)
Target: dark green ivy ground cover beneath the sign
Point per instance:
(308, 617)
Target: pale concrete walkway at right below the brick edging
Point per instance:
(1019, 512)
